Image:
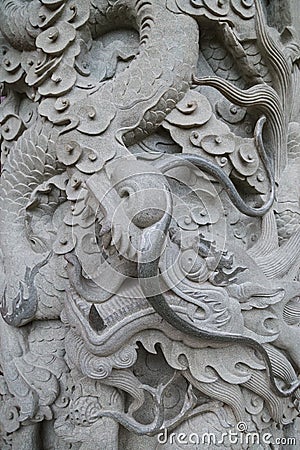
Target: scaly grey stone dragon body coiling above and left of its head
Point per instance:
(140, 104)
